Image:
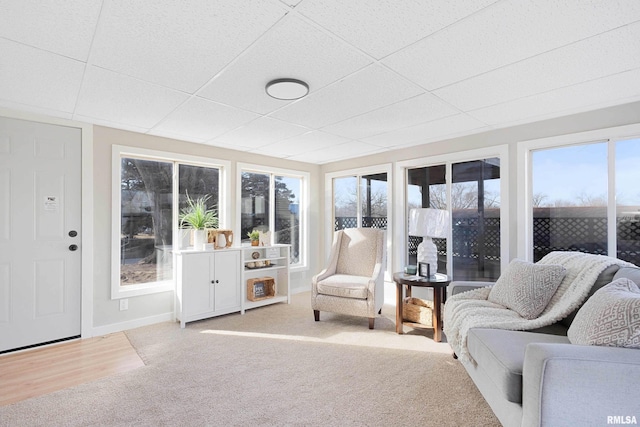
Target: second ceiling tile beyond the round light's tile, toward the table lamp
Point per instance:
(420, 109)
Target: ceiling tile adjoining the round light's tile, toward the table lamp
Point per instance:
(361, 92)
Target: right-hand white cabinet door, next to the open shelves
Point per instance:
(227, 287)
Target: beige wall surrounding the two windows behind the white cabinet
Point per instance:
(146, 309)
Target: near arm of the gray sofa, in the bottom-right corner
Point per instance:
(566, 384)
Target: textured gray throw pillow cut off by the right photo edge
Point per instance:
(611, 317)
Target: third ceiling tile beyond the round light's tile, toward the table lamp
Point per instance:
(428, 132)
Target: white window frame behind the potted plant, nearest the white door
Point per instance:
(117, 153)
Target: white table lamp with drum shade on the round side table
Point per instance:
(428, 223)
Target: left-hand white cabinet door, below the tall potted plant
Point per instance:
(197, 289)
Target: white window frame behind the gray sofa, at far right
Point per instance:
(524, 209)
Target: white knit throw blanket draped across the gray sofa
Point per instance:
(472, 310)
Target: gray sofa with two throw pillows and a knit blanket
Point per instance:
(538, 378)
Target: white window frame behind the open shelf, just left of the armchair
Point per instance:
(303, 206)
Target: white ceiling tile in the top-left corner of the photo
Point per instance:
(65, 28)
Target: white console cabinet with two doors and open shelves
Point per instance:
(213, 283)
